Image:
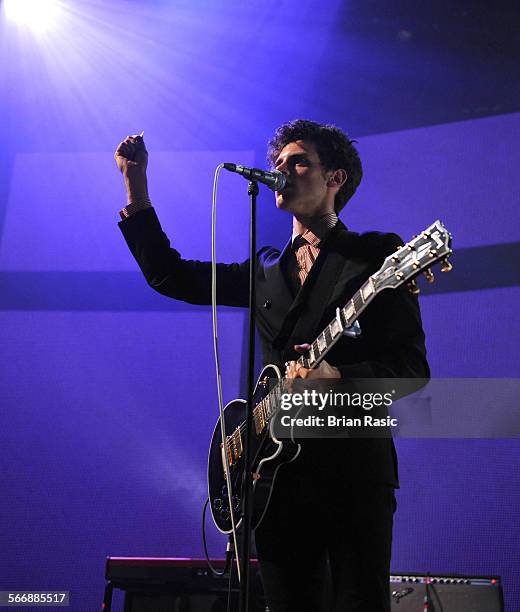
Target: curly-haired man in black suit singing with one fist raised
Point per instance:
(334, 504)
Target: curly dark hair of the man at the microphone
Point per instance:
(333, 146)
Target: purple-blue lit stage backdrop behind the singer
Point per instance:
(108, 390)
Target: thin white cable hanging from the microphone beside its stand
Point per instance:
(225, 458)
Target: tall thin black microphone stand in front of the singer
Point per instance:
(247, 485)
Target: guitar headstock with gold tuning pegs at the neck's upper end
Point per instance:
(419, 255)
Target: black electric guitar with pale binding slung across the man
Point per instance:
(269, 453)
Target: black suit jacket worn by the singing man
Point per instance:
(391, 345)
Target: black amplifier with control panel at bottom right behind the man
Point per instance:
(446, 593)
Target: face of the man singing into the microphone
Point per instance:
(308, 192)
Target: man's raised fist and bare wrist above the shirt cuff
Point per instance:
(132, 159)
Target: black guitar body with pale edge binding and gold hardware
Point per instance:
(268, 453)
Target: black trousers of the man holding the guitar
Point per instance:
(326, 545)
